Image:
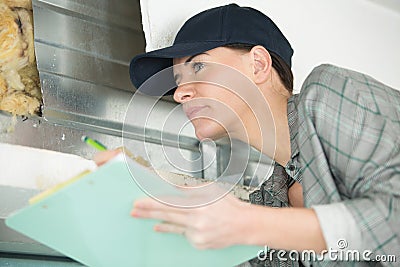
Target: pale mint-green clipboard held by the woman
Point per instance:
(88, 220)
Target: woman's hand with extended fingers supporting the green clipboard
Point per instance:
(212, 226)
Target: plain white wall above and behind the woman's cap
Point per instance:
(357, 34)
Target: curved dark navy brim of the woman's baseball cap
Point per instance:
(144, 66)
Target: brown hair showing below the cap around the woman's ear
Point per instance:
(281, 67)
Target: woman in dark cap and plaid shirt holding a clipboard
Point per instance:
(337, 146)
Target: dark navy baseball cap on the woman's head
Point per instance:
(212, 28)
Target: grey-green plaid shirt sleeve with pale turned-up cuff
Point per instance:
(350, 152)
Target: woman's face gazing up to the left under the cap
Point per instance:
(209, 86)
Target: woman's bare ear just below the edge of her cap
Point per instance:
(261, 63)
